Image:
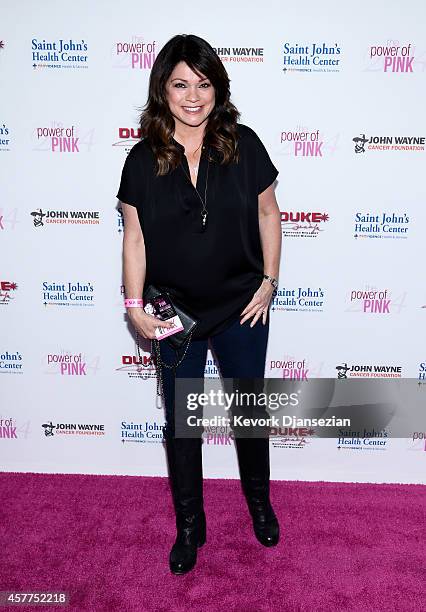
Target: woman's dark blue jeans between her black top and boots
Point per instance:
(240, 352)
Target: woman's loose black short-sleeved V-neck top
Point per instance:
(212, 274)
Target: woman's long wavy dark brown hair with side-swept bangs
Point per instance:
(156, 121)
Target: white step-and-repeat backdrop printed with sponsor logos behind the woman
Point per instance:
(336, 91)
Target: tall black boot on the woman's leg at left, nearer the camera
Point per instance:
(184, 456)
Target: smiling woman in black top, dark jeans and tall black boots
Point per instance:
(201, 221)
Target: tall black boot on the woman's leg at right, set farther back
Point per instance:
(253, 460)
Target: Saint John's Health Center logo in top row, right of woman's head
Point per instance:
(312, 57)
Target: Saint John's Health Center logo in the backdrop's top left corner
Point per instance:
(59, 54)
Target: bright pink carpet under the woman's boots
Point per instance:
(106, 539)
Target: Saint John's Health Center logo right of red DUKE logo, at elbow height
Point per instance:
(383, 225)
